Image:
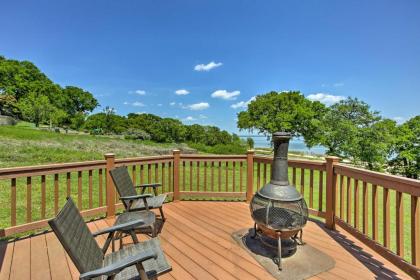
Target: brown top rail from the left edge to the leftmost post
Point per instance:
(36, 170)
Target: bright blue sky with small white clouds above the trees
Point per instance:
(134, 55)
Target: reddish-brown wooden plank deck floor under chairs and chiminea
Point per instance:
(197, 241)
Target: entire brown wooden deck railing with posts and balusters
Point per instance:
(381, 210)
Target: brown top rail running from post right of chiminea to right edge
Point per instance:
(401, 184)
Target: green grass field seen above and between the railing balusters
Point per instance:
(26, 146)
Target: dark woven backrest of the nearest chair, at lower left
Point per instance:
(76, 238)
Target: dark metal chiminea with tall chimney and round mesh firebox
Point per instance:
(278, 209)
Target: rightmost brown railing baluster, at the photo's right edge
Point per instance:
(415, 231)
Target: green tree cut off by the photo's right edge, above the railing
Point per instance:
(406, 153)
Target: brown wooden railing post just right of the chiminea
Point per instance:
(331, 190)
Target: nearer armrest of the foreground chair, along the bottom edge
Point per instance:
(114, 268)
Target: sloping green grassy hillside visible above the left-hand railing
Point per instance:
(25, 145)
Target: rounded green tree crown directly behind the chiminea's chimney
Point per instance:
(283, 111)
